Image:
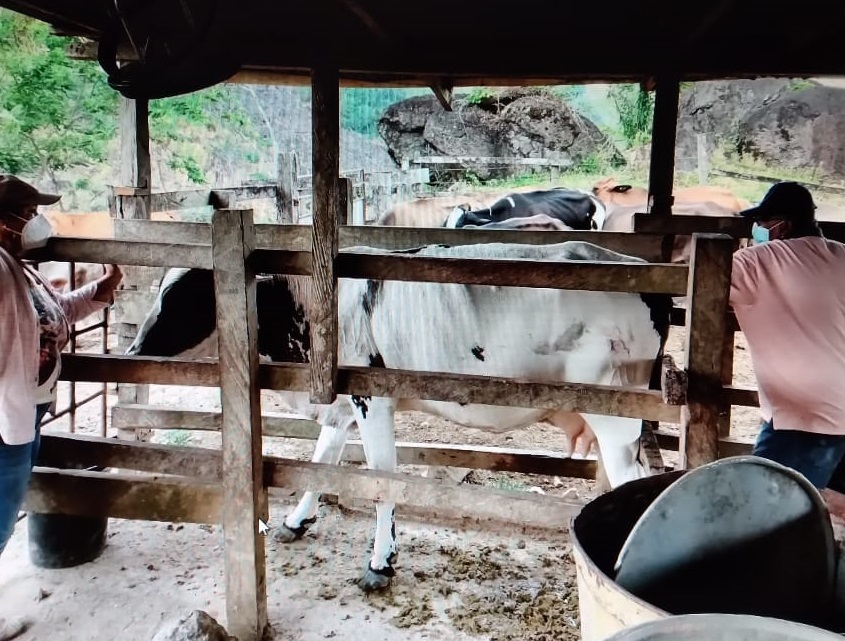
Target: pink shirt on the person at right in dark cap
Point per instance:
(789, 299)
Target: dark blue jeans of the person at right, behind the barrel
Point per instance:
(816, 456)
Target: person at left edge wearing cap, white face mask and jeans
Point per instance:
(35, 324)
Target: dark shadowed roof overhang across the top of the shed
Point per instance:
(465, 42)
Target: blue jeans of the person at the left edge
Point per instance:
(16, 463)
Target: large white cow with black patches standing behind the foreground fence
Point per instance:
(525, 333)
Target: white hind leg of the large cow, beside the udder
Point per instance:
(619, 444)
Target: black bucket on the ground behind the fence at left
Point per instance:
(64, 540)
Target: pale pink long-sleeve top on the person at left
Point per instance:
(19, 345)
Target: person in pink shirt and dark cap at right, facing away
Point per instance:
(788, 293)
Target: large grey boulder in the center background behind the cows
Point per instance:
(525, 123)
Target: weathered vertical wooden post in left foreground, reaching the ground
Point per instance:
(244, 494)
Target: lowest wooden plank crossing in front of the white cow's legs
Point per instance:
(438, 499)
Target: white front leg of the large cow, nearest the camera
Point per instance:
(375, 422)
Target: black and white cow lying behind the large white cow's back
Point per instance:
(578, 210)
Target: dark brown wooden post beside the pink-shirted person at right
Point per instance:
(707, 300)
